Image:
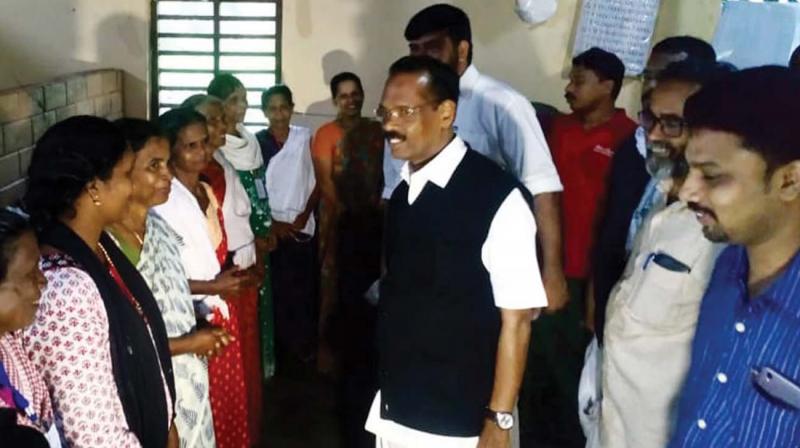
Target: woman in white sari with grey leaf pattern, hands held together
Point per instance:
(154, 248)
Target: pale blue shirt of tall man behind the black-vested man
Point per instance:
(500, 123)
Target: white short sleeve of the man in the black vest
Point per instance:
(509, 254)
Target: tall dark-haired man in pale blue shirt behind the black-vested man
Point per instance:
(499, 123)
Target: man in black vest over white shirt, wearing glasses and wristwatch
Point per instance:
(461, 282)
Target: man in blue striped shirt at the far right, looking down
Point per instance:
(743, 388)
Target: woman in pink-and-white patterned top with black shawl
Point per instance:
(98, 337)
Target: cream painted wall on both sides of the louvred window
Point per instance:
(42, 39)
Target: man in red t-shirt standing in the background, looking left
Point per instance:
(582, 144)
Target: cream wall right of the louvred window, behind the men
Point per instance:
(323, 37)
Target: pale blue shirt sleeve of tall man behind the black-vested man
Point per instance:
(524, 147)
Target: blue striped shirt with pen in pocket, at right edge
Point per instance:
(720, 405)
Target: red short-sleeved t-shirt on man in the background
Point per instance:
(583, 159)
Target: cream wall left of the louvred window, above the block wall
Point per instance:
(44, 39)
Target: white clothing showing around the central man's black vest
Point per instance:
(508, 254)
